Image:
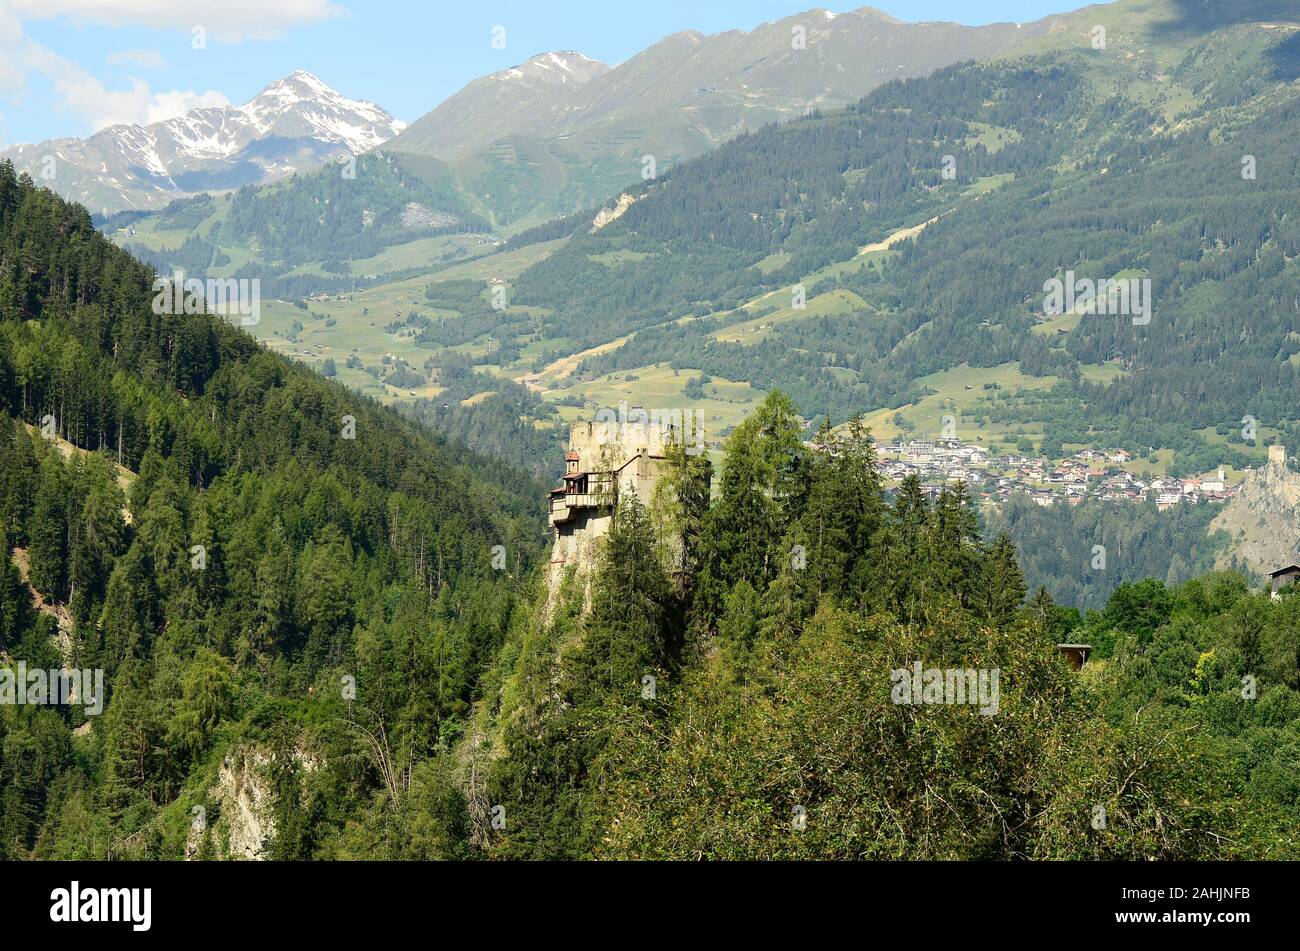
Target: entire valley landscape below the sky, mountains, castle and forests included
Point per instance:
(339, 614)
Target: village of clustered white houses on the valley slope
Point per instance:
(1086, 475)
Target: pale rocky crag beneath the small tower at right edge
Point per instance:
(1263, 522)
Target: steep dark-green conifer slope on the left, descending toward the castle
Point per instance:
(227, 536)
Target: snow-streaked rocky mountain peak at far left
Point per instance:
(296, 124)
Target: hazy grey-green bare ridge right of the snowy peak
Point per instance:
(566, 132)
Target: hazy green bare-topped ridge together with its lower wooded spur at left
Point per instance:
(557, 134)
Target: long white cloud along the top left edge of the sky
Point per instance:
(226, 20)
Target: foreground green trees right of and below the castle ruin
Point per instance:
(744, 707)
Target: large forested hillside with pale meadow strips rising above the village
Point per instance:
(1172, 163)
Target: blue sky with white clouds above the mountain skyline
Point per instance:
(68, 67)
